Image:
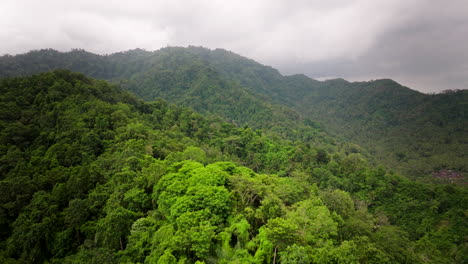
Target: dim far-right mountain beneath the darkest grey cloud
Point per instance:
(413, 132)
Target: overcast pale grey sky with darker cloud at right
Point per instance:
(421, 44)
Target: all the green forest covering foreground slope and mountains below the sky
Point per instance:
(199, 156)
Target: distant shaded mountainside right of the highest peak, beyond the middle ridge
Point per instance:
(415, 133)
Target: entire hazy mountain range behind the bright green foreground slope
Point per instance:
(415, 134)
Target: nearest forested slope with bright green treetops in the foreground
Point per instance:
(91, 174)
